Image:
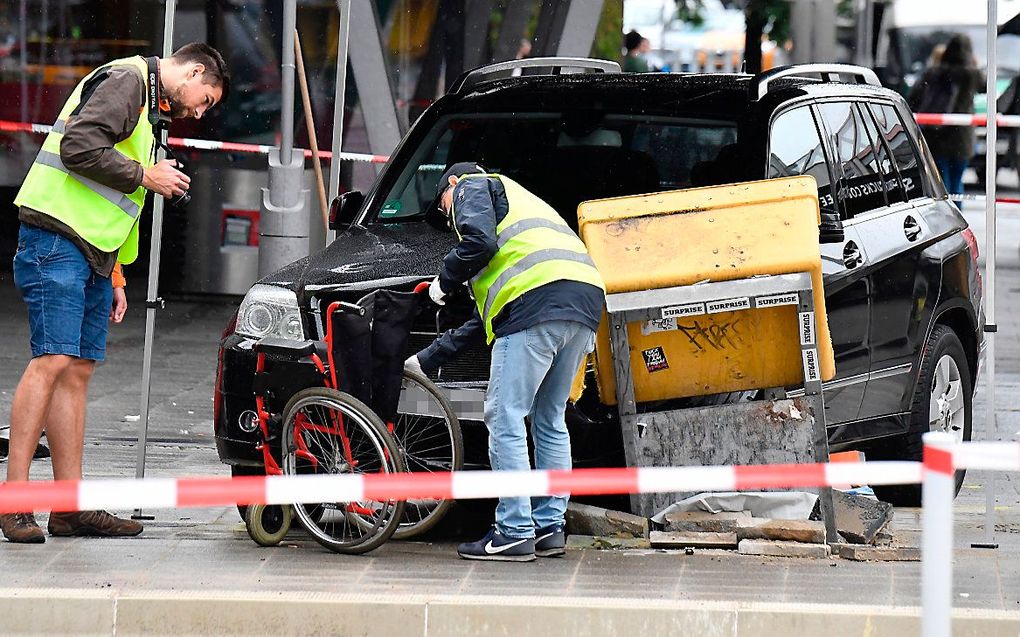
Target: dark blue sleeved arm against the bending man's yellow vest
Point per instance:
(476, 221)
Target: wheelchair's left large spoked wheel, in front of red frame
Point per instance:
(331, 433)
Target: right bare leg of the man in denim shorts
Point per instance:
(66, 421)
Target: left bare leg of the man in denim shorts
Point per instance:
(30, 410)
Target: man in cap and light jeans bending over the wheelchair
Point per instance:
(540, 300)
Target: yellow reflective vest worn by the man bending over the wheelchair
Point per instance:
(535, 247)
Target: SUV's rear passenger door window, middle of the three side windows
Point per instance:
(859, 186)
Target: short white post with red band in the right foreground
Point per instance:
(937, 540)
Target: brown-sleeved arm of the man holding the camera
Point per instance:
(109, 114)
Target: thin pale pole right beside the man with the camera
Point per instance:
(152, 300)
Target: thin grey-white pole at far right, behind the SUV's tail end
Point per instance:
(991, 170)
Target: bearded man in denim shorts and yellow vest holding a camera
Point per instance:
(80, 207)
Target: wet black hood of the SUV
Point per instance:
(365, 257)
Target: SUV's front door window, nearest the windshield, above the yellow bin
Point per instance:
(796, 149)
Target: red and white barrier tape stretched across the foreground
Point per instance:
(186, 493)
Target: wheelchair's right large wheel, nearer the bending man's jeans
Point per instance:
(429, 440)
